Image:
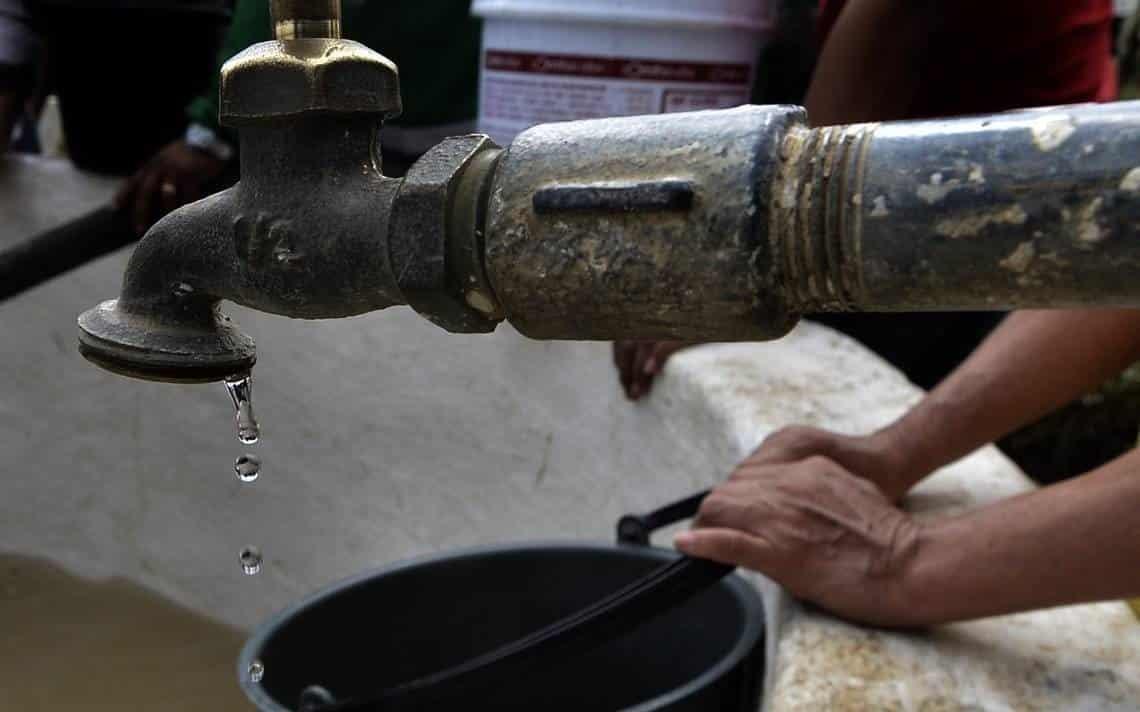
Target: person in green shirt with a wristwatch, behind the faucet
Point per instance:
(435, 44)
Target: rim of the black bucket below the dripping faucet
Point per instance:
(752, 631)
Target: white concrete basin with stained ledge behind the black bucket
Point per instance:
(386, 438)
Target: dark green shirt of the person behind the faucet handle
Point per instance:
(434, 43)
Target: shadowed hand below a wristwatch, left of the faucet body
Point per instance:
(174, 177)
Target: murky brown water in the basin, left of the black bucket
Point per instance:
(108, 646)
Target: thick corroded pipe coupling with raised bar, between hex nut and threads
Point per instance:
(605, 261)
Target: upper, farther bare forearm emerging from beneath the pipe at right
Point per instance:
(1033, 364)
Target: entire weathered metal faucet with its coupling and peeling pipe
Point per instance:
(714, 226)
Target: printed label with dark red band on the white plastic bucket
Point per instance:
(520, 89)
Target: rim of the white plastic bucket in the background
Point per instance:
(588, 13)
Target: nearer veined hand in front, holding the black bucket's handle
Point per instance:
(827, 536)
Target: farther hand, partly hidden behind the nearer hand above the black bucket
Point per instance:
(878, 459)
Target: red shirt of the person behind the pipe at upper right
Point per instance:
(998, 55)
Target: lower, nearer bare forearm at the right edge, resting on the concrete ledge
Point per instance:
(1069, 544)
